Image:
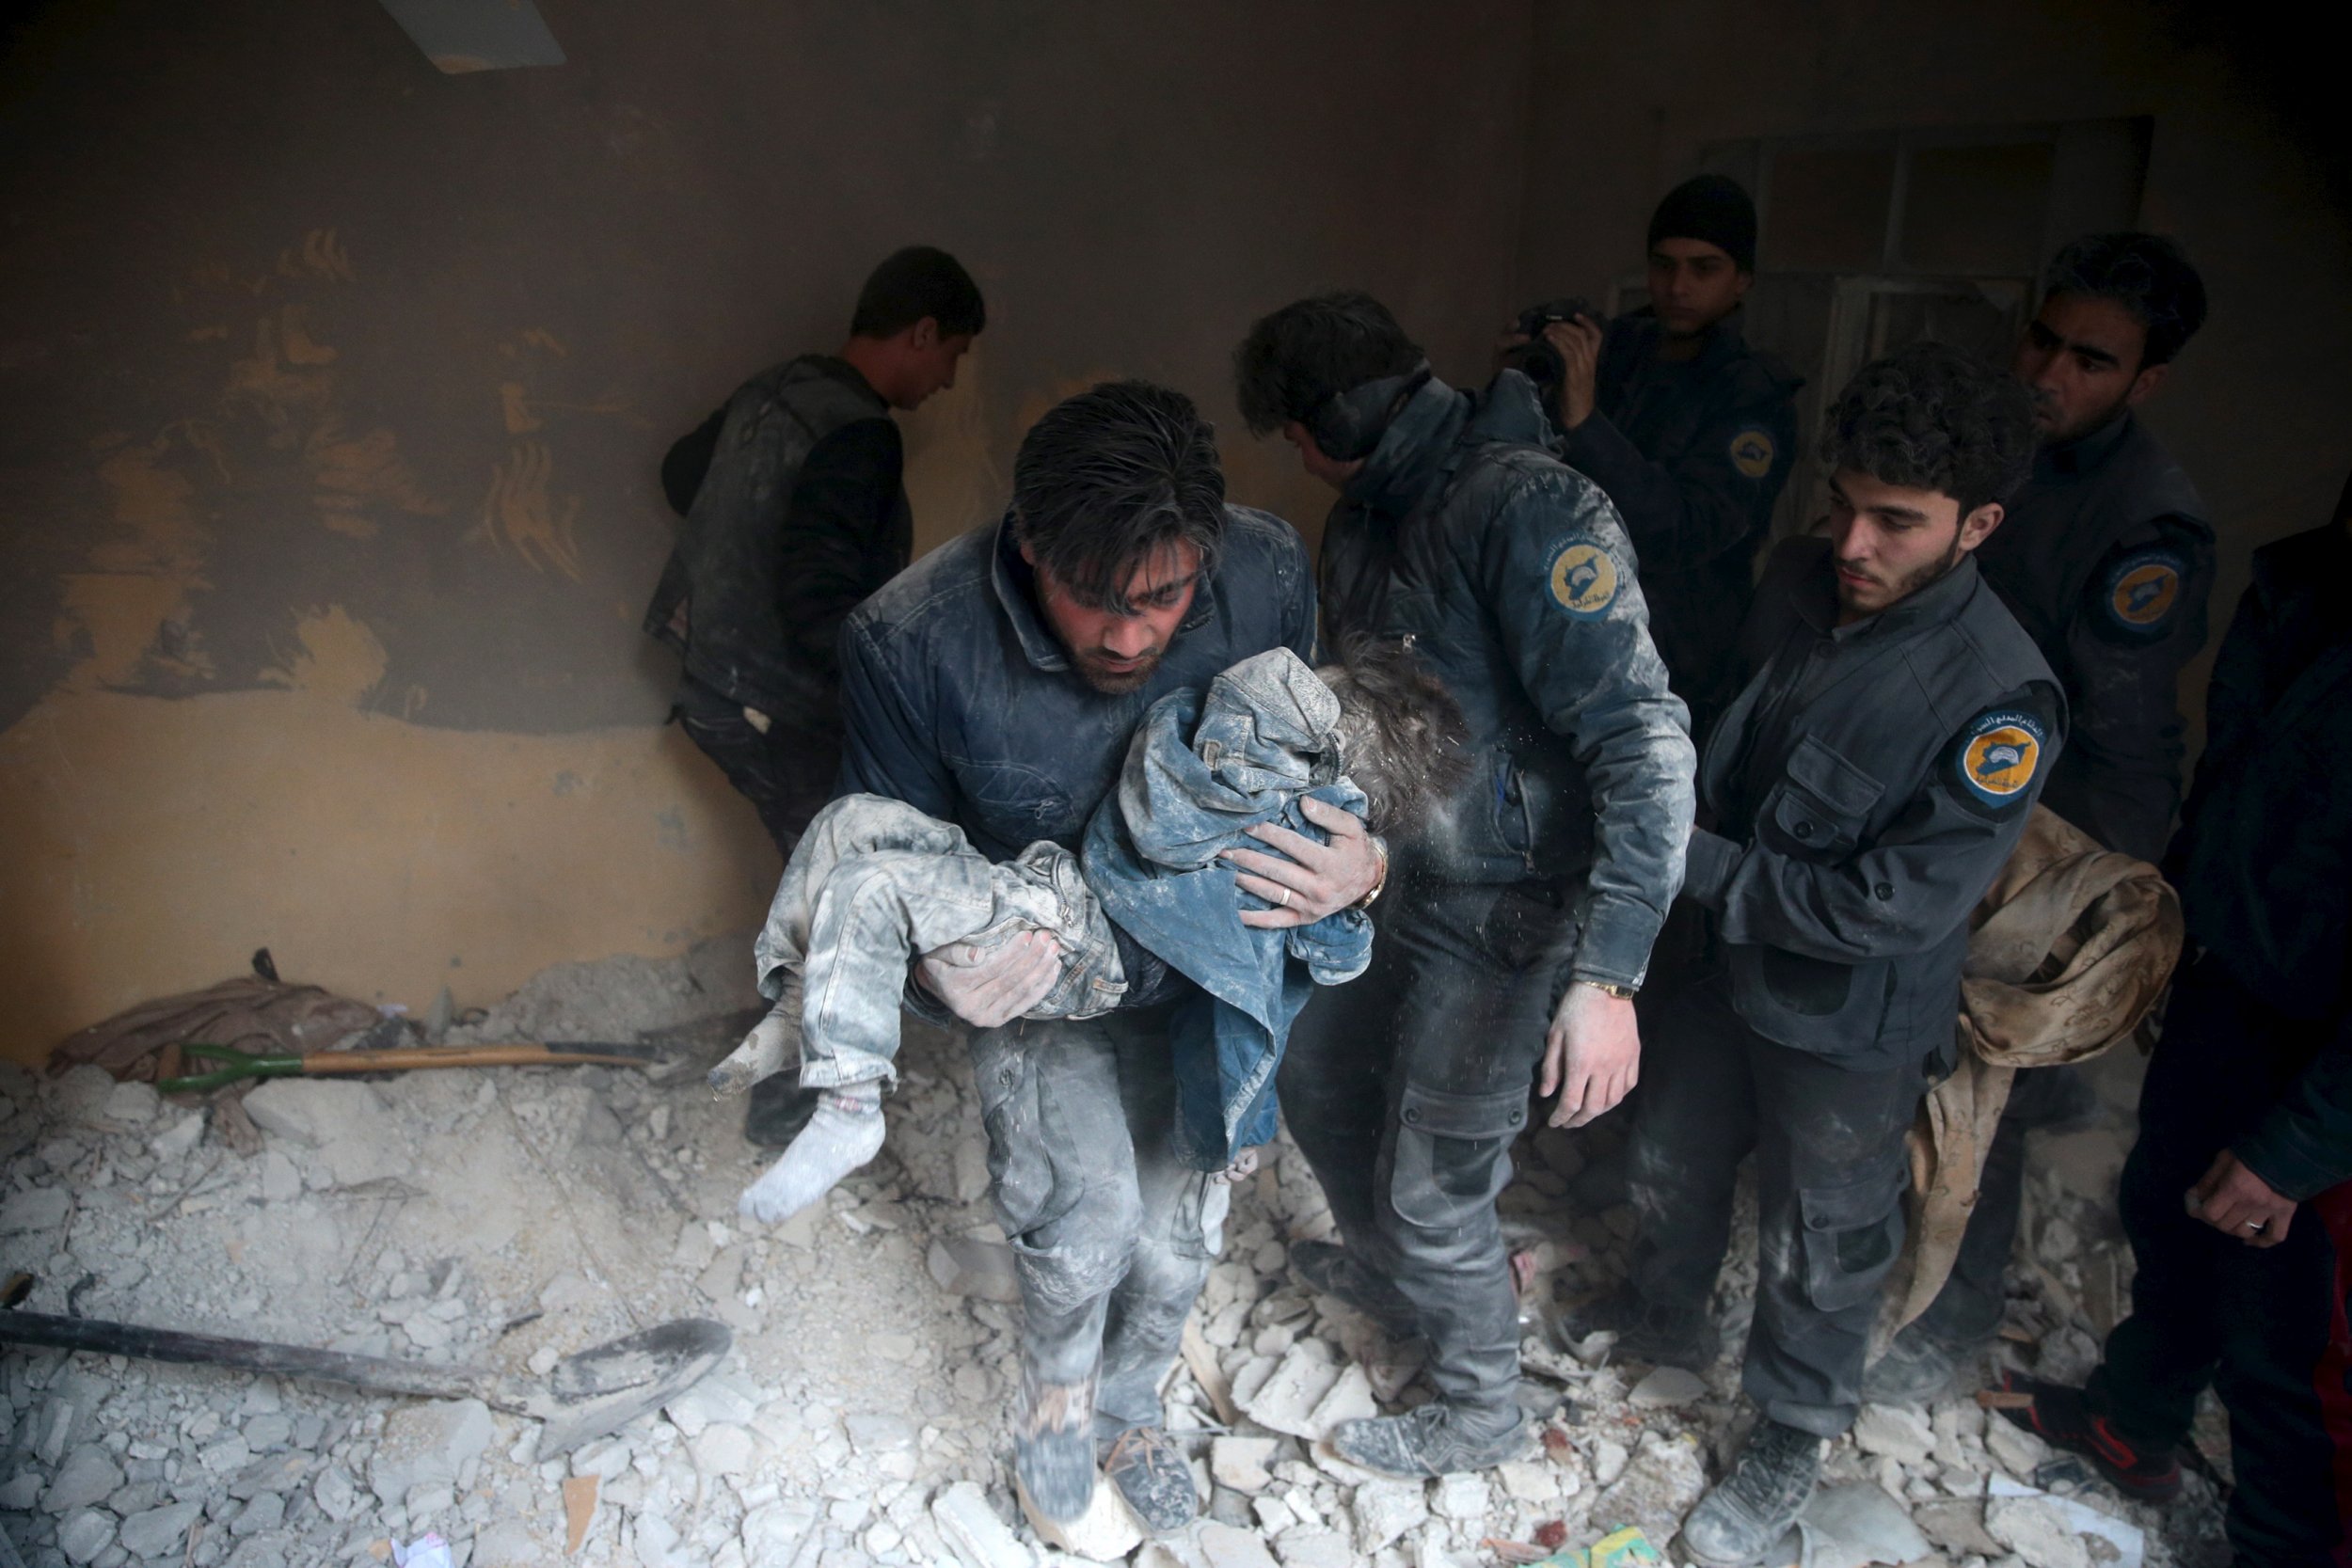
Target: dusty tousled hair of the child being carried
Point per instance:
(1403, 735)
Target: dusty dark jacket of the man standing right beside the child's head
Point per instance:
(1514, 577)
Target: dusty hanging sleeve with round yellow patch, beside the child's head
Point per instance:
(1561, 582)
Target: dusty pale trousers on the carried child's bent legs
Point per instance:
(871, 887)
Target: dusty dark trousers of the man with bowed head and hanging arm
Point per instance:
(1405, 1092)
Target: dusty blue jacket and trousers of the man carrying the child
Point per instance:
(963, 704)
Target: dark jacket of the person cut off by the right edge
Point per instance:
(2264, 859)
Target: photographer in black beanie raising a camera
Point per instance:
(1685, 427)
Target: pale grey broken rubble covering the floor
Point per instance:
(514, 1217)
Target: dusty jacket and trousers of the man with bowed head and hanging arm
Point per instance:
(1558, 859)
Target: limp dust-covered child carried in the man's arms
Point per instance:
(876, 883)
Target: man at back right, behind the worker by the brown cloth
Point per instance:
(2106, 561)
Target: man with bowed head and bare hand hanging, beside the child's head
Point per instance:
(1523, 920)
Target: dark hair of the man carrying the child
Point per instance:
(1111, 478)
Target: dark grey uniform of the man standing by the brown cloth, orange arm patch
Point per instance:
(1864, 791)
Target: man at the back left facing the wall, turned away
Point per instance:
(794, 511)
